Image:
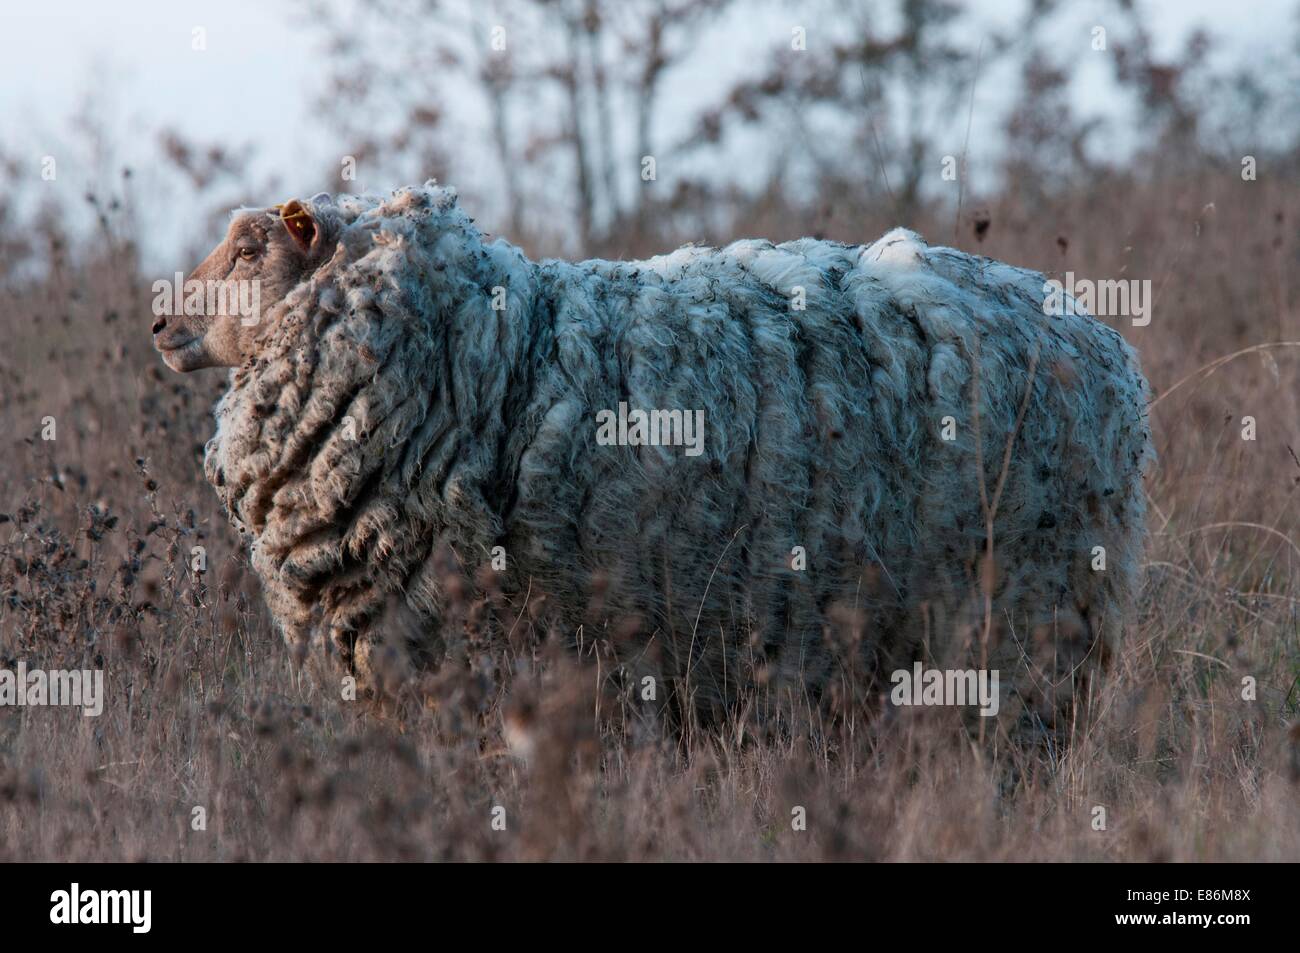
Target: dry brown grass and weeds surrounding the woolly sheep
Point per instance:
(206, 711)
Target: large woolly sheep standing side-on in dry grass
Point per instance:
(781, 462)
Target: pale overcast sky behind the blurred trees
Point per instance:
(258, 76)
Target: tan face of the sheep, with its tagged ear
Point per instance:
(265, 255)
